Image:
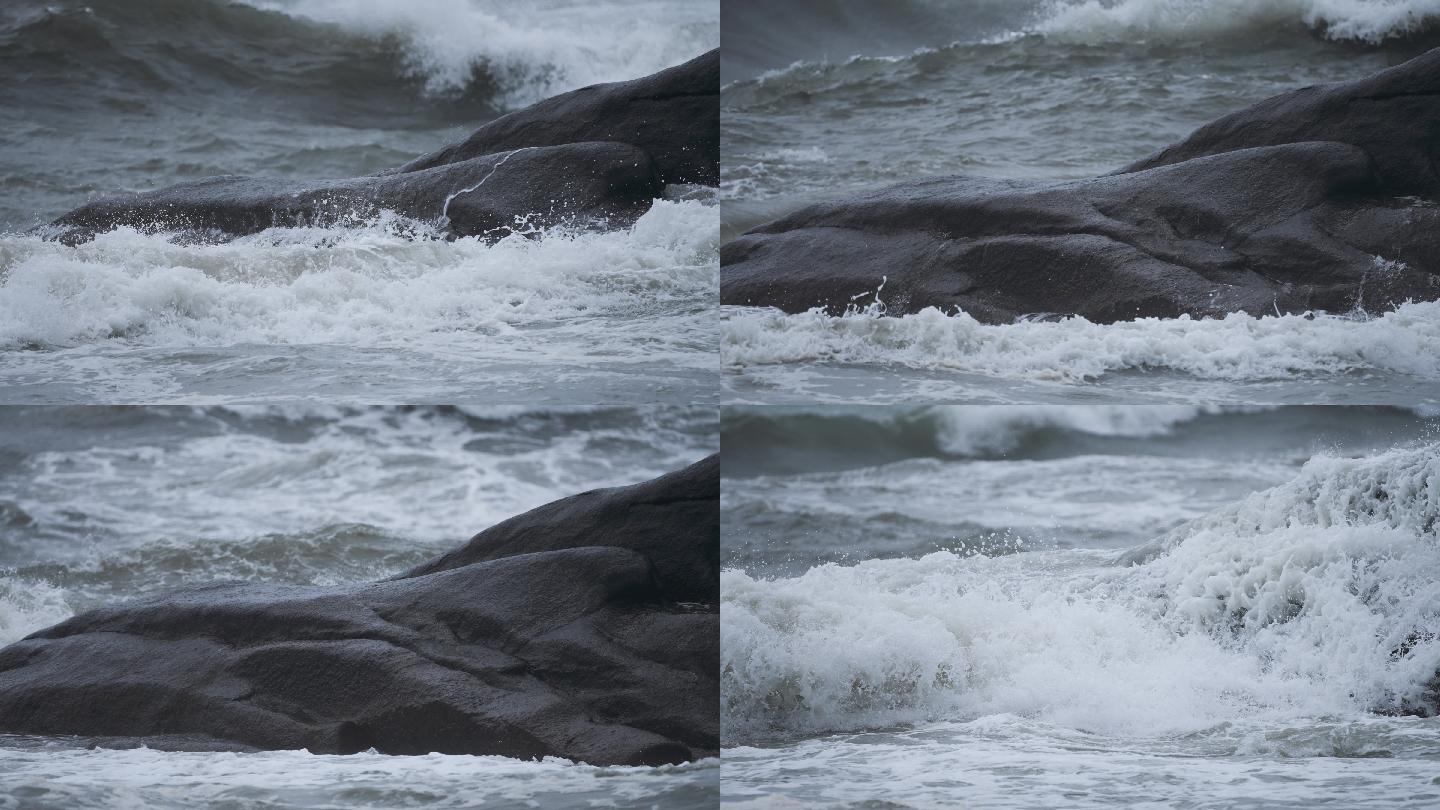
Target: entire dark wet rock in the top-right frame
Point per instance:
(1320, 200)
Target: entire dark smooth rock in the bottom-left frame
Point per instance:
(582, 629)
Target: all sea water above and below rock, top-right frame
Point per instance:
(823, 99)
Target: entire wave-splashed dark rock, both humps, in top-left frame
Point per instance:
(594, 158)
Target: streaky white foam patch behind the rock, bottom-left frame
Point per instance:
(355, 468)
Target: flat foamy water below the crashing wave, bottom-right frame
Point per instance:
(1010, 763)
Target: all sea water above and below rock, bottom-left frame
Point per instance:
(107, 504)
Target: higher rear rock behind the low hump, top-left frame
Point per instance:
(673, 115)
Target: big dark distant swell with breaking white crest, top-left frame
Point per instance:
(338, 60)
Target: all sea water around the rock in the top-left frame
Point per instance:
(129, 96)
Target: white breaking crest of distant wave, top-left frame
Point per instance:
(532, 50)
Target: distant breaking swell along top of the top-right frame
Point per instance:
(781, 48)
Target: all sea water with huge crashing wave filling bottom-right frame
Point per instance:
(1144, 606)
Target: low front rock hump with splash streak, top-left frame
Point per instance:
(608, 184)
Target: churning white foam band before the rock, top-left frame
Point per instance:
(362, 288)
